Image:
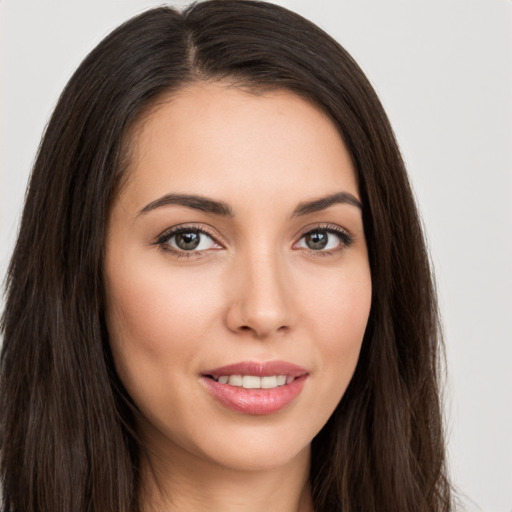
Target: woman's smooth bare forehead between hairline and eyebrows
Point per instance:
(215, 139)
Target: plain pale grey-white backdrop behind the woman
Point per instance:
(443, 69)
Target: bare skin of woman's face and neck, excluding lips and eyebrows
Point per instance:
(253, 291)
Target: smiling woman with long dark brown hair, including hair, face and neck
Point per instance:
(220, 296)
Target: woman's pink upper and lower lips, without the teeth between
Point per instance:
(256, 401)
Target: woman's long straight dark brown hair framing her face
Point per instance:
(67, 433)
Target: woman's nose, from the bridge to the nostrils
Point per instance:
(261, 302)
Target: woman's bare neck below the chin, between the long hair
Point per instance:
(187, 482)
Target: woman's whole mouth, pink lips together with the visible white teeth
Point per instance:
(254, 387)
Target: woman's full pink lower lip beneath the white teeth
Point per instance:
(255, 401)
